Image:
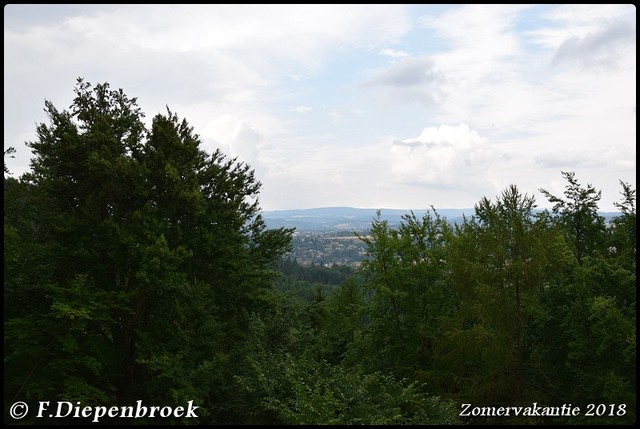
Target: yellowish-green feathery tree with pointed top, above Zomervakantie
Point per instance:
(502, 260)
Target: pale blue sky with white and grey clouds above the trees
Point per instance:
(371, 106)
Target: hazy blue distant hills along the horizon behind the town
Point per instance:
(356, 219)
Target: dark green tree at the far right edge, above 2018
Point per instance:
(590, 316)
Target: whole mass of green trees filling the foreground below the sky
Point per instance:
(138, 267)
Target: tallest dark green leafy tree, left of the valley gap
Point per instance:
(156, 257)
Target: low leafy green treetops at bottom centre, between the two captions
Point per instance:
(303, 390)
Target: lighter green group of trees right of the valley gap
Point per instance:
(512, 306)
